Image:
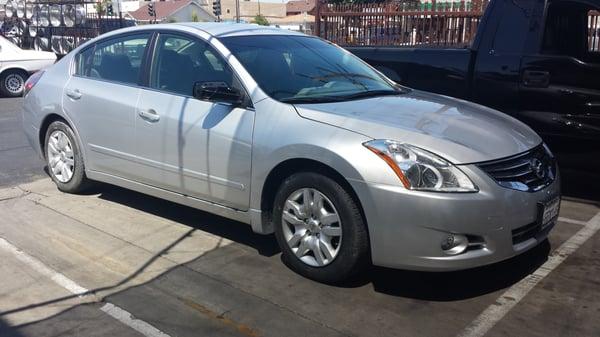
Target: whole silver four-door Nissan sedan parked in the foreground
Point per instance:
(294, 135)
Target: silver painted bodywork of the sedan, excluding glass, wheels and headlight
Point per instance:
(222, 161)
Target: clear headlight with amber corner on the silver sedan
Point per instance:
(419, 169)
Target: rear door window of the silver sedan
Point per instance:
(118, 60)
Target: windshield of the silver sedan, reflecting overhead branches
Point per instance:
(306, 69)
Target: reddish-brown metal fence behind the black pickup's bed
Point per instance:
(400, 23)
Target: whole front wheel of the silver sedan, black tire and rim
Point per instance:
(341, 257)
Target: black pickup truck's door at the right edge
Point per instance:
(559, 91)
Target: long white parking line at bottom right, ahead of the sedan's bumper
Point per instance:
(509, 299)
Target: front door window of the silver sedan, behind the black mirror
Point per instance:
(179, 62)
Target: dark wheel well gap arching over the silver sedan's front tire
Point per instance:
(289, 167)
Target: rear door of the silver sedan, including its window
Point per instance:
(101, 99)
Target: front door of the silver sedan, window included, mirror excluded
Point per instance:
(194, 147)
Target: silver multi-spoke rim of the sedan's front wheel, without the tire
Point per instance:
(312, 227)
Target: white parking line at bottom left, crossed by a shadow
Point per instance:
(110, 309)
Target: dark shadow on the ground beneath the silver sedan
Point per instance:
(434, 286)
